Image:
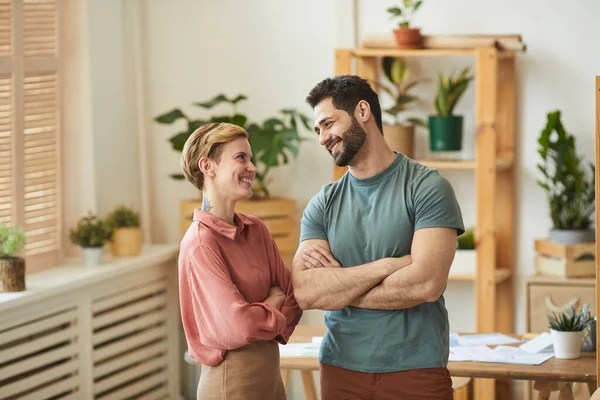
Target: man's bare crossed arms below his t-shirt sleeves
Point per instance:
(385, 284)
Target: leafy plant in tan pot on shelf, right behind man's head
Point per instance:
(399, 136)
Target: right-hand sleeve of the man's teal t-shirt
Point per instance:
(435, 204)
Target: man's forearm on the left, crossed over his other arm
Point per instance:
(336, 288)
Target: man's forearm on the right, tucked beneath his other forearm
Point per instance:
(408, 287)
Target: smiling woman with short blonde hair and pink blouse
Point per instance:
(235, 292)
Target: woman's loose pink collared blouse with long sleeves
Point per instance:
(225, 273)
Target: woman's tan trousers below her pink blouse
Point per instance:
(248, 373)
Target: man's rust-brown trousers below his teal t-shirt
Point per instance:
(419, 384)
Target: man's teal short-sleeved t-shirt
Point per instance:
(368, 219)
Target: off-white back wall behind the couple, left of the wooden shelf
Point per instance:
(273, 52)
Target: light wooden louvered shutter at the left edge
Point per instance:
(30, 185)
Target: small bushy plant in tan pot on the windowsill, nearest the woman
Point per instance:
(126, 240)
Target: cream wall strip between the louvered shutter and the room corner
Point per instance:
(101, 168)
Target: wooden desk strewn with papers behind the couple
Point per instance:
(552, 375)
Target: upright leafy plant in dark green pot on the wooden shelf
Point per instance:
(446, 129)
